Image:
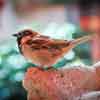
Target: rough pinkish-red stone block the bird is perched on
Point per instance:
(63, 84)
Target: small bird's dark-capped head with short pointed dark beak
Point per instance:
(24, 35)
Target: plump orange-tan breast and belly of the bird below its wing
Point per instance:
(41, 56)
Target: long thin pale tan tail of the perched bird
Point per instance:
(81, 40)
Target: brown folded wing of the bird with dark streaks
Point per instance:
(46, 42)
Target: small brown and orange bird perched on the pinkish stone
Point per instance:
(42, 50)
